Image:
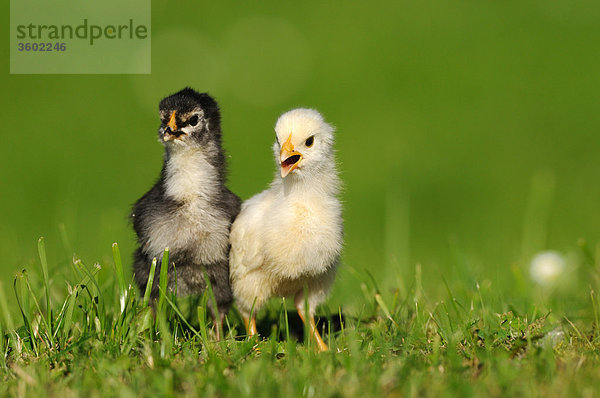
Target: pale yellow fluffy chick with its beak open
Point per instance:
(290, 236)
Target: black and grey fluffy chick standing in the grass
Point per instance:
(189, 209)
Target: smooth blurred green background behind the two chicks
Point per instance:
(467, 132)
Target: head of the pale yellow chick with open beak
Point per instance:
(304, 142)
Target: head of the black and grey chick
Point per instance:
(188, 118)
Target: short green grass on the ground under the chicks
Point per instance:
(101, 339)
